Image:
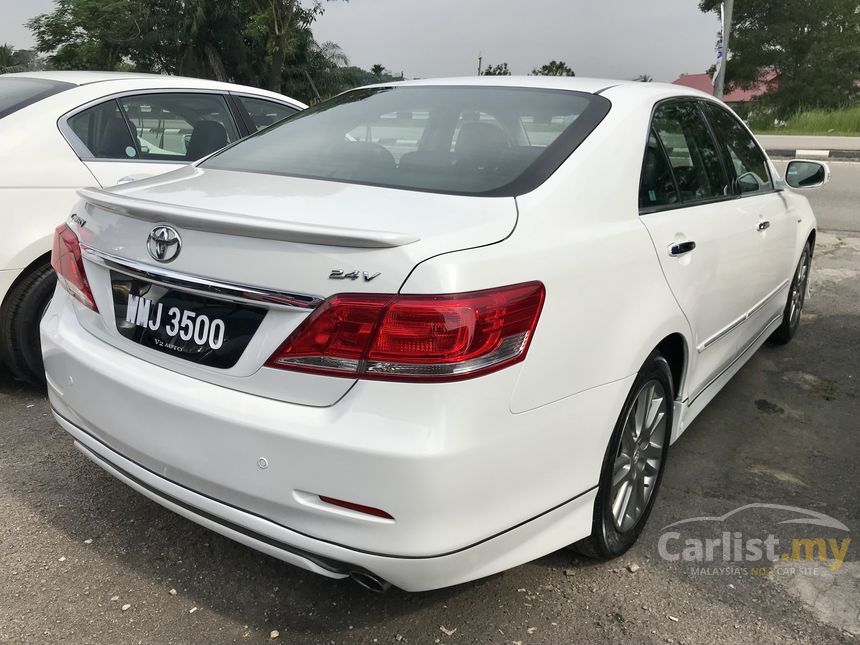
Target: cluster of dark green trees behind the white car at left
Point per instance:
(264, 43)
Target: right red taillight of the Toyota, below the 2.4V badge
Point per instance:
(415, 337)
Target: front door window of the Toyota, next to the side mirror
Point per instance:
(748, 161)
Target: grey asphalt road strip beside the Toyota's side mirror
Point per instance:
(837, 205)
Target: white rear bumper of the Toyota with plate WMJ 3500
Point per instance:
(473, 489)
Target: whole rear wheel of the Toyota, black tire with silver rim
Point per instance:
(646, 457)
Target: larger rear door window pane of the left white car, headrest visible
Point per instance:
(179, 127)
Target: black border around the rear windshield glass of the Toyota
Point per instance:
(536, 175)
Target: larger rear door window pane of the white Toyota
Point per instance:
(692, 153)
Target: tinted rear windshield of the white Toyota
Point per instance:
(458, 140)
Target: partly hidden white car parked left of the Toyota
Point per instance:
(61, 131)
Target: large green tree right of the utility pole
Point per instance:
(814, 47)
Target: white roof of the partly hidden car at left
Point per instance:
(148, 81)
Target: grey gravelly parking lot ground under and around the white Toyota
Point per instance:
(84, 559)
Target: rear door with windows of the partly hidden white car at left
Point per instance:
(134, 137)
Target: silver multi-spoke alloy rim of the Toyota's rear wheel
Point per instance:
(640, 455)
